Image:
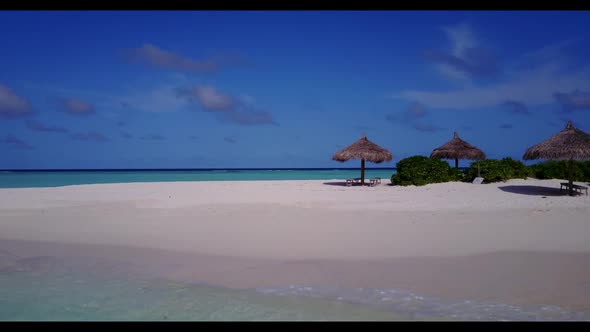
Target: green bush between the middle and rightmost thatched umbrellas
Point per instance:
(493, 170)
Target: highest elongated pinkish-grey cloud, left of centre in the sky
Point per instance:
(155, 56)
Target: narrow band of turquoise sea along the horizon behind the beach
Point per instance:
(24, 179)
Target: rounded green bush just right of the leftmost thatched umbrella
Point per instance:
(420, 170)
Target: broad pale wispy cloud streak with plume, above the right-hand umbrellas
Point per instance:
(533, 79)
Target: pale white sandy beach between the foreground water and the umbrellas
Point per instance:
(518, 242)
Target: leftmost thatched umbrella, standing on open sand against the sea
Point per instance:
(363, 149)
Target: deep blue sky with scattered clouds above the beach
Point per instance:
(207, 89)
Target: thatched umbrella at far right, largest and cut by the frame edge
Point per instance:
(570, 143)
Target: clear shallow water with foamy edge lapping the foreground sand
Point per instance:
(53, 289)
